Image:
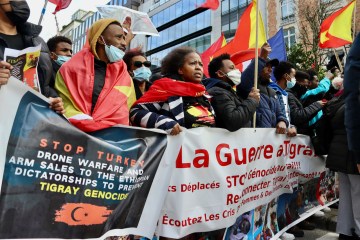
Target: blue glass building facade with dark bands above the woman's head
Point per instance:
(181, 24)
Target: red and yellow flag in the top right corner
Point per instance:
(335, 31)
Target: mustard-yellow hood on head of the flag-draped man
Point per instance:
(96, 30)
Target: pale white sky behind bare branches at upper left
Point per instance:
(63, 16)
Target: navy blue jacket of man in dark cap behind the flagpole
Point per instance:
(269, 112)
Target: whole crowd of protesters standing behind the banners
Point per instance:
(105, 85)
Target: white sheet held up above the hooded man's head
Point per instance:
(139, 22)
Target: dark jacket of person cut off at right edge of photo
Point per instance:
(352, 102)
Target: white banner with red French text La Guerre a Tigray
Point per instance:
(220, 175)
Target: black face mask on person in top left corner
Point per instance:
(20, 13)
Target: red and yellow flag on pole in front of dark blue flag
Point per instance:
(245, 35)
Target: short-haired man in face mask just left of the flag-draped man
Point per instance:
(60, 52)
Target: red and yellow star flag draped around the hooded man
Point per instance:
(77, 84)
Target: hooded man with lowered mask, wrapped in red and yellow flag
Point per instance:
(95, 85)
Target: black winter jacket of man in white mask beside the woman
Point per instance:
(231, 112)
